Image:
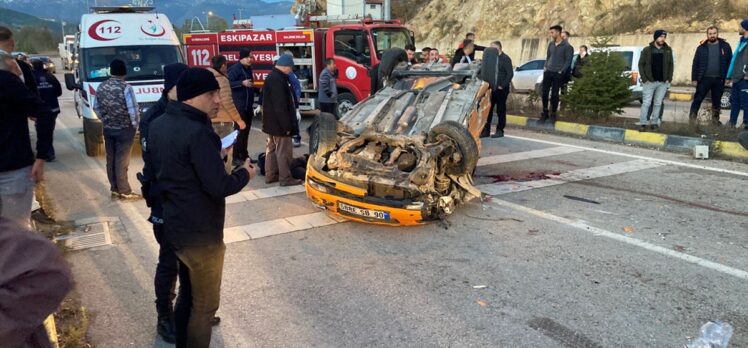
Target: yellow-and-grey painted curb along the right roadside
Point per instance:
(675, 143)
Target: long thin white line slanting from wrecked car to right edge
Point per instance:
(626, 239)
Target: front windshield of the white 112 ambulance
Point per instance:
(141, 66)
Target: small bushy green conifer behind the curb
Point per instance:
(603, 89)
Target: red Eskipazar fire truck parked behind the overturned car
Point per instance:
(355, 47)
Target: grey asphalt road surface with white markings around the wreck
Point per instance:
(582, 244)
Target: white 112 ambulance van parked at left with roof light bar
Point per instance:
(146, 41)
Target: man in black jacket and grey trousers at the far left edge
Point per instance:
(19, 168)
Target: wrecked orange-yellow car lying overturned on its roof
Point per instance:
(405, 155)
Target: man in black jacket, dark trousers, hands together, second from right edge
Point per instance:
(710, 64)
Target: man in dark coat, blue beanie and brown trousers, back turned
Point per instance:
(279, 123)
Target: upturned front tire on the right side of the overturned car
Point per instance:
(465, 143)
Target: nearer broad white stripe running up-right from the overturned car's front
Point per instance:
(572, 176)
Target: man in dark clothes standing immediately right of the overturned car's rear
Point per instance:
(499, 91)
